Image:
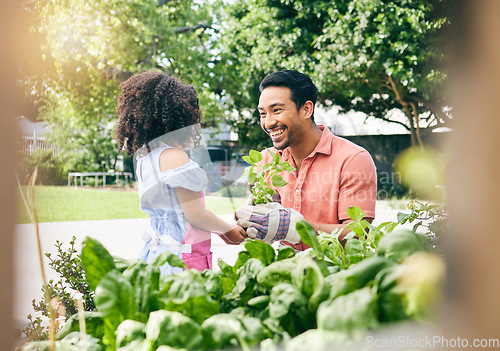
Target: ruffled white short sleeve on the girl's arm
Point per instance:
(189, 176)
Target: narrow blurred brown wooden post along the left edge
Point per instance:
(13, 30)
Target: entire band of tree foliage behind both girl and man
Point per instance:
(373, 56)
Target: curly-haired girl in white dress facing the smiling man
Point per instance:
(158, 120)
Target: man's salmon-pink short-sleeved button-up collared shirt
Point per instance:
(338, 174)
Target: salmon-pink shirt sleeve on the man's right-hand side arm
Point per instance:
(358, 186)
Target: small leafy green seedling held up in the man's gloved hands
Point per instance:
(261, 176)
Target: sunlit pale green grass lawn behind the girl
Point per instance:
(61, 203)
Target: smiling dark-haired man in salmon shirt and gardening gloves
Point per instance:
(332, 174)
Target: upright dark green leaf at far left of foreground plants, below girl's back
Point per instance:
(96, 261)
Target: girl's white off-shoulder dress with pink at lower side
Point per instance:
(170, 230)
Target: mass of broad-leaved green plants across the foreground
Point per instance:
(268, 298)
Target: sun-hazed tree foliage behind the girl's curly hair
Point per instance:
(86, 48)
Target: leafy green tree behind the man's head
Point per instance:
(373, 56)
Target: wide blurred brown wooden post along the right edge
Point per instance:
(472, 308)
